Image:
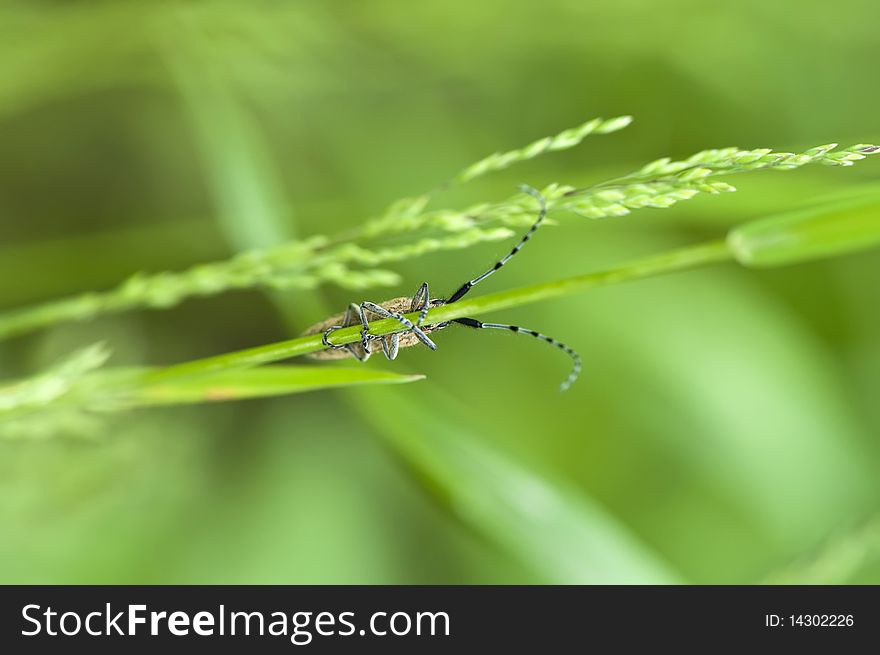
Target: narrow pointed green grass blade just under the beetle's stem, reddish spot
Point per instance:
(260, 383)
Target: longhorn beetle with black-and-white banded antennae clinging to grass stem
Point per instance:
(422, 302)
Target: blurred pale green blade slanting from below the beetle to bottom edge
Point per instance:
(553, 529)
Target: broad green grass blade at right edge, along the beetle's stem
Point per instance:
(808, 234)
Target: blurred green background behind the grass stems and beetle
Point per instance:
(726, 426)
